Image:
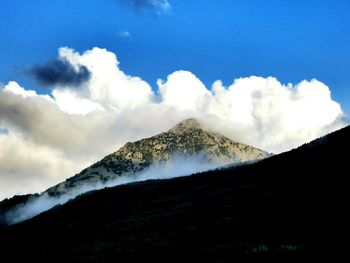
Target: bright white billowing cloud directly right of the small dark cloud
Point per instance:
(108, 85)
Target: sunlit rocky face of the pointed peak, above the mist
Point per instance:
(186, 139)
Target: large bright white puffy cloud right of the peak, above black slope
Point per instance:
(277, 117)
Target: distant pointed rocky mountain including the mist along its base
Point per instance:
(184, 149)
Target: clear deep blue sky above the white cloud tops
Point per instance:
(290, 40)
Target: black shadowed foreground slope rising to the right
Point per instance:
(289, 206)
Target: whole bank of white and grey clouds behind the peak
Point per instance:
(46, 138)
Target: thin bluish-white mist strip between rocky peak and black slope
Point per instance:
(176, 167)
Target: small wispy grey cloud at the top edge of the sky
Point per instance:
(157, 6)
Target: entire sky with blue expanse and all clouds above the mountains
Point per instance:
(83, 76)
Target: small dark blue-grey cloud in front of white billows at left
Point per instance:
(60, 72)
